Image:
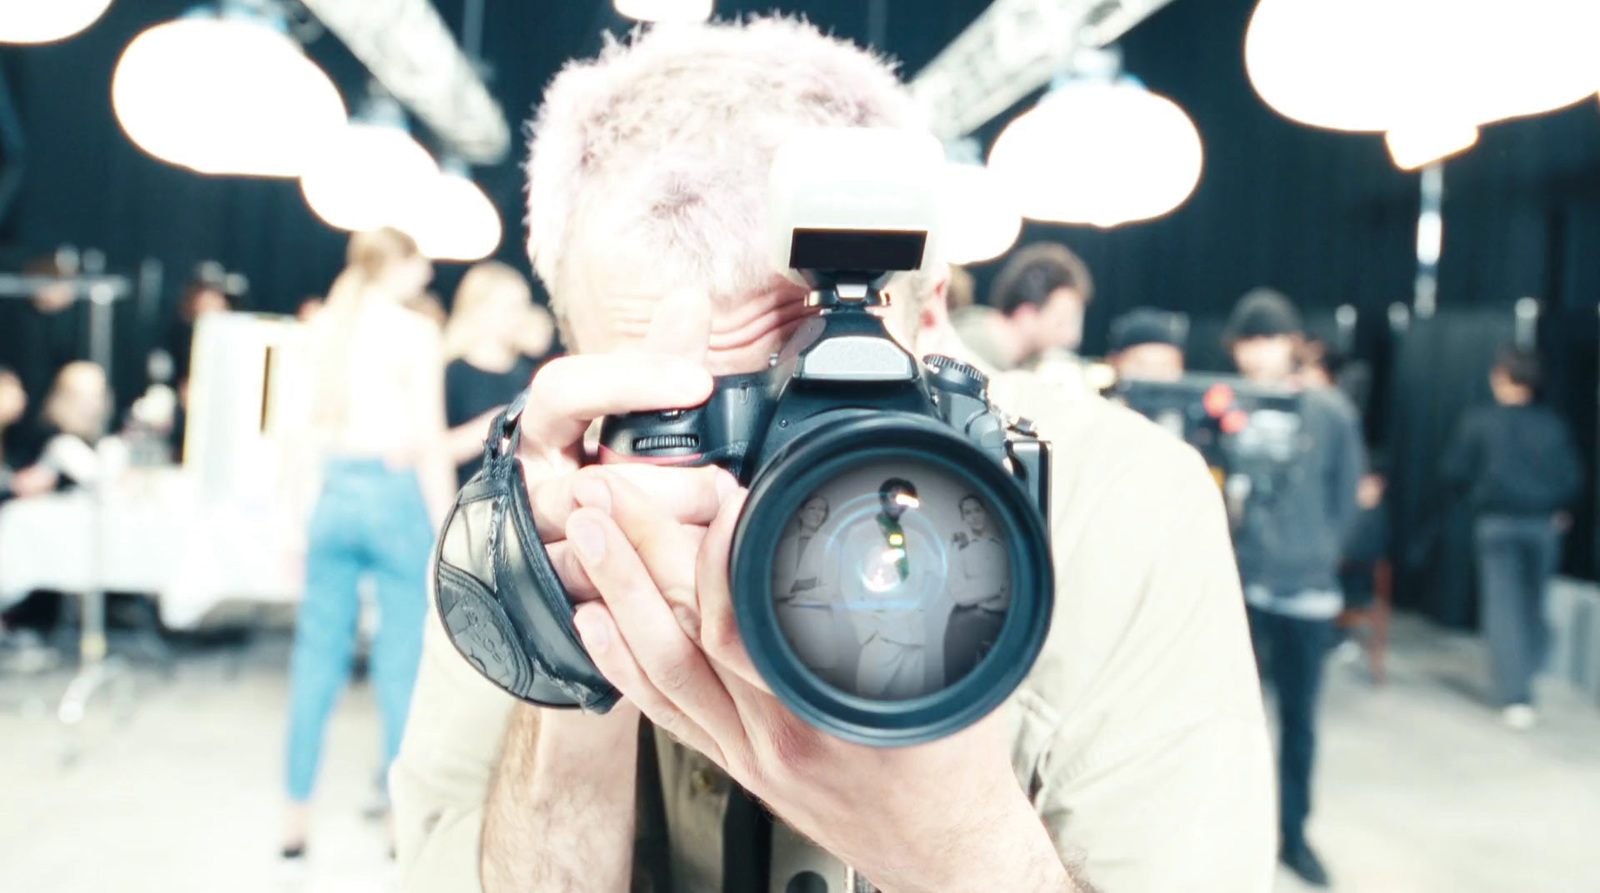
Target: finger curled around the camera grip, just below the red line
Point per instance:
(682, 495)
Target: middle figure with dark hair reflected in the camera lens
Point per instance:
(887, 588)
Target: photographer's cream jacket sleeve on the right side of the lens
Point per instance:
(1159, 777)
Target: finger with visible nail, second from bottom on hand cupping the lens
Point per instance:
(668, 657)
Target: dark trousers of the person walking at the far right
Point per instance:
(1518, 556)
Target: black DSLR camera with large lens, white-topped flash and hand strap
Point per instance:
(890, 572)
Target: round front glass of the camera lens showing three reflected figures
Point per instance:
(894, 580)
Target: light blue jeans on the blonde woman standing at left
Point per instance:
(370, 521)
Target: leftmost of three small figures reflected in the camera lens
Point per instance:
(806, 609)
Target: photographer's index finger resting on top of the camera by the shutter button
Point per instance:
(570, 393)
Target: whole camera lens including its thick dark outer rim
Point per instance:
(892, 582)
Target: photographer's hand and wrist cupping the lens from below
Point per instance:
(946, 817)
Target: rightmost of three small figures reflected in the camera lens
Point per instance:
(982, 590)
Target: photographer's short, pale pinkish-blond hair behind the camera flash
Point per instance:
(665, 143)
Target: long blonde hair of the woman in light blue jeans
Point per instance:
(366, 262)
